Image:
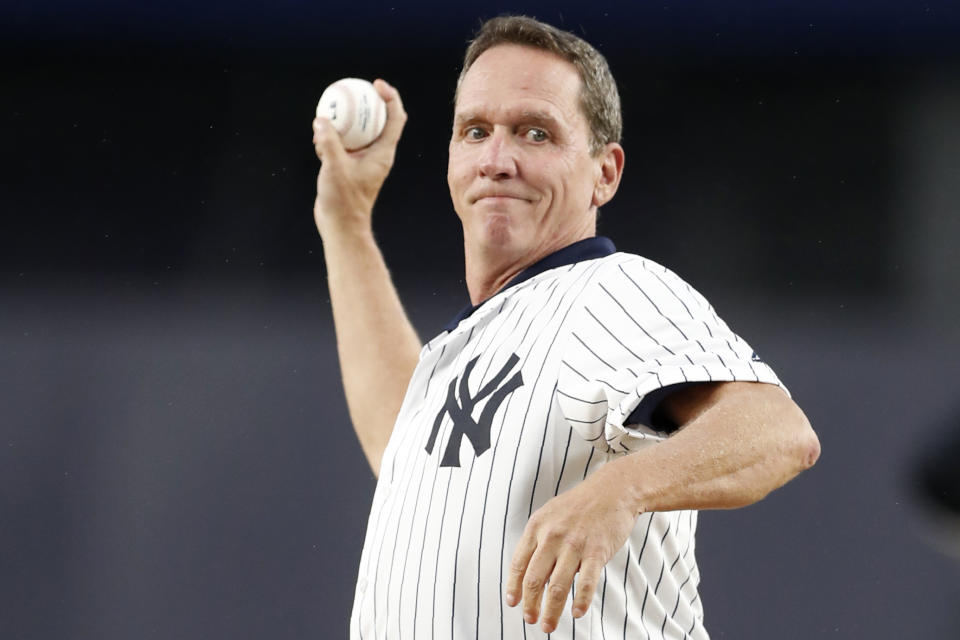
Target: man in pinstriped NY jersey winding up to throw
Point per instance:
(548, 451)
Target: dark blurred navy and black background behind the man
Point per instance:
(175, 455)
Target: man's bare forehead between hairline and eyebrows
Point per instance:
(511, 77)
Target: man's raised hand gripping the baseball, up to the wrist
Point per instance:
(349, 181)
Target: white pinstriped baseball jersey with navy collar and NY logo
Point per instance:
(522, 398)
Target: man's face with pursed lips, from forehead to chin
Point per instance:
(520, 172)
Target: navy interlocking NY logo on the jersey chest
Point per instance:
(461, 413)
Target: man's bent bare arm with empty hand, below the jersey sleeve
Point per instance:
(737, 442)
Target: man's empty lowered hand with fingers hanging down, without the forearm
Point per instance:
(576, 532)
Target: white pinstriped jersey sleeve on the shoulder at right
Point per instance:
(640, 334)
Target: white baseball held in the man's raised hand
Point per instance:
(356, 111)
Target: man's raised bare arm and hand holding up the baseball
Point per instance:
(378, 346)
